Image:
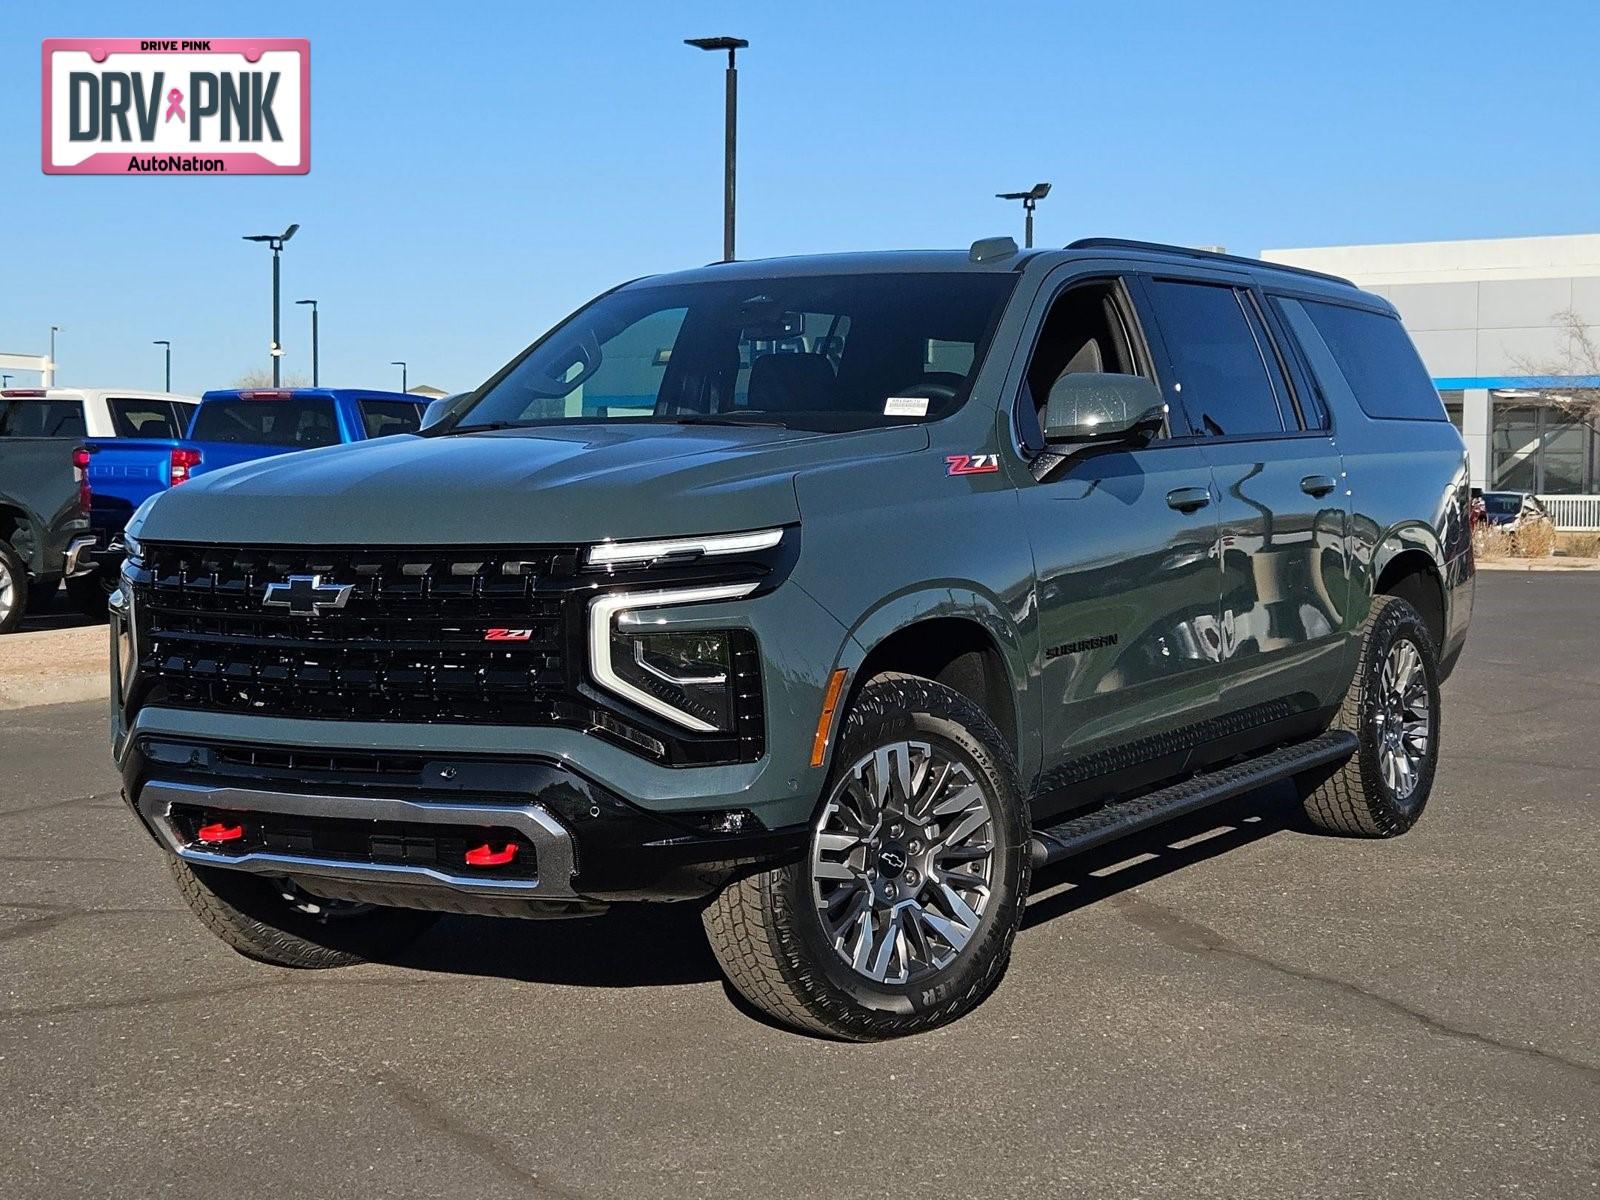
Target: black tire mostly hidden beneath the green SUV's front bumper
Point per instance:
(250, 914)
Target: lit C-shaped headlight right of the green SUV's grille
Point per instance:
(689, 678)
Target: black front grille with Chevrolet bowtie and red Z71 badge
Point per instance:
(455, 636)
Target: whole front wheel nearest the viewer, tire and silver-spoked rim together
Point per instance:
(903, 913)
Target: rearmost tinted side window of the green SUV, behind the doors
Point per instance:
(1378, 361)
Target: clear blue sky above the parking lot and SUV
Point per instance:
(482, 169)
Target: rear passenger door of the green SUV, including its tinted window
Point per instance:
(1282, 498)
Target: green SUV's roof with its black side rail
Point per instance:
(919, 262)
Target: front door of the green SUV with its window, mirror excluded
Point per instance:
(1126, 559)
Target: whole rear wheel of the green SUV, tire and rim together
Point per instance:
(1393, 710)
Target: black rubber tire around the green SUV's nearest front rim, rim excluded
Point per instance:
(766, 929)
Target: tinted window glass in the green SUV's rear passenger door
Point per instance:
(1217, 364)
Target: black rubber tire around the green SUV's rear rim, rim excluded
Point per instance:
(1354, 798)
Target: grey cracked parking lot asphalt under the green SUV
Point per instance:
(1233, 1007)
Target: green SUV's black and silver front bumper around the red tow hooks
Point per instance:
(588, 847)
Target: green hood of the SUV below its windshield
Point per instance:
(519, 486)
